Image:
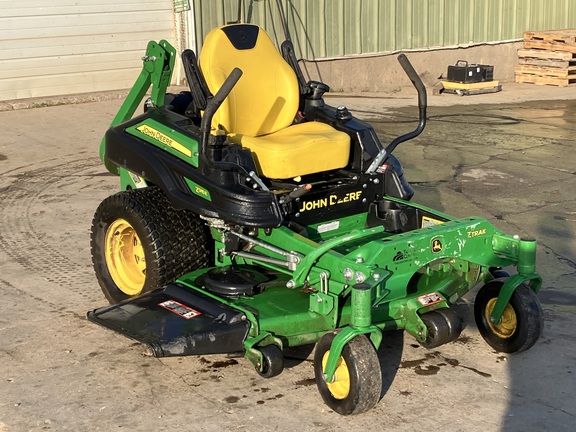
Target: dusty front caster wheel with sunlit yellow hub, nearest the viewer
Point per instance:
(358, 379)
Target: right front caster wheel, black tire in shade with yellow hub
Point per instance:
(522, 321)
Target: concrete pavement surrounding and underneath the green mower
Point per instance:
(510, 157)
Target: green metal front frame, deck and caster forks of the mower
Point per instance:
(379, 302)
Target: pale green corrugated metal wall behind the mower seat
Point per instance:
(338, 28)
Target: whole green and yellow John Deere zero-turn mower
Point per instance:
(253, 218)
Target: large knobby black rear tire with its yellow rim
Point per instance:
(167, 243)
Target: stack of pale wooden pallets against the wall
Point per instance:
(548, 58)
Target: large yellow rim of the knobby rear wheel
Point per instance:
(125, 257)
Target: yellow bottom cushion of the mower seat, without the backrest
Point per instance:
(300, 149)
